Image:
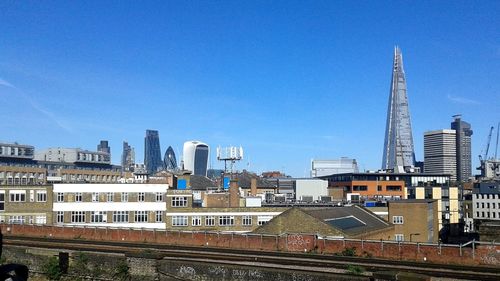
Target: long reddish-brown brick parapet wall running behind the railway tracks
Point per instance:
(473, 253)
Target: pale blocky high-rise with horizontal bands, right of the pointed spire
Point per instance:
(440, 152)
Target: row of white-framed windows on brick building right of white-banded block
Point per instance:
(246, 220)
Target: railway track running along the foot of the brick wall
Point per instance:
(277, 260)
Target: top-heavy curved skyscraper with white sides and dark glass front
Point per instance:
(196, 157)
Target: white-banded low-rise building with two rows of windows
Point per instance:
(110, 205)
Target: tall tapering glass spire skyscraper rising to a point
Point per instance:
(398, 144)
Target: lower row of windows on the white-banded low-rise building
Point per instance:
(102, 216)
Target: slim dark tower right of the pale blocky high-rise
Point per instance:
(463, 142)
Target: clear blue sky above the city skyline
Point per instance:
(287, 80)
